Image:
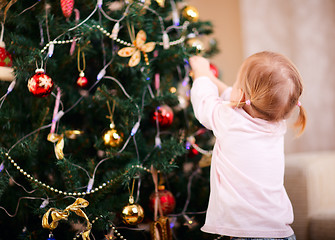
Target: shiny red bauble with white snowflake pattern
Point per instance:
(40, 85)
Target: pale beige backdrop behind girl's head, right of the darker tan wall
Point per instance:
(304, 30)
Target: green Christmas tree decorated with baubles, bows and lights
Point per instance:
(98, 139)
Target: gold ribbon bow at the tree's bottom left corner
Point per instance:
(57, 215)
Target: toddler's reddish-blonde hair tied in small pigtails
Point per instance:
(273, 85)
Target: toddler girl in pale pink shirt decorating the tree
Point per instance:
(248, 198)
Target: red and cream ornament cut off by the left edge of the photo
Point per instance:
(6, 70)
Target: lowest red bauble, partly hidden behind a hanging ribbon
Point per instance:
(167, 200)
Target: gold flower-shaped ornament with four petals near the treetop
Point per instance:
(135, 52)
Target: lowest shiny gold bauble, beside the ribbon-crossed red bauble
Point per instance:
(133, 213)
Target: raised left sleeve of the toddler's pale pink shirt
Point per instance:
(205, 99)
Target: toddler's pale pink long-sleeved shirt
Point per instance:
(247, 194)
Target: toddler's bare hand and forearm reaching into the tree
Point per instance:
(200, 68)
